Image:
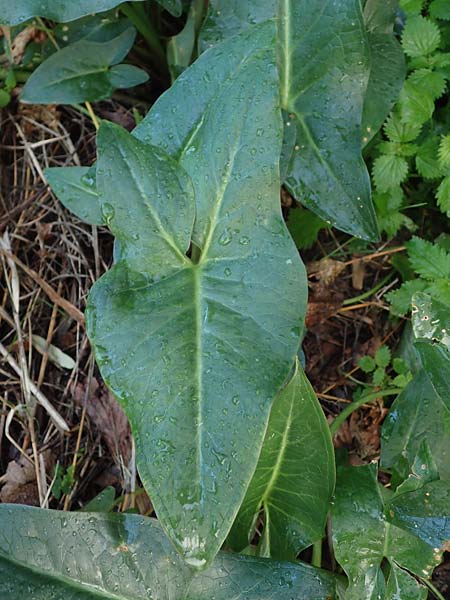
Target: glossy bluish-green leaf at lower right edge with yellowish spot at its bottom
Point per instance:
(425, 513)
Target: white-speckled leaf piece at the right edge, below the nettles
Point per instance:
(430, 319)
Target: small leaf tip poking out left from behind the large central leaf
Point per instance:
(75, 188)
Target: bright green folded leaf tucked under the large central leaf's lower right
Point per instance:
(294, 479)
